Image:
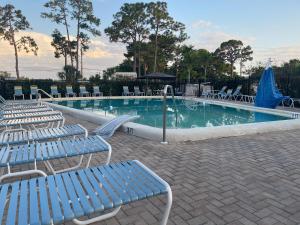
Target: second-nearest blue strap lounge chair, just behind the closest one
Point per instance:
(11, 156)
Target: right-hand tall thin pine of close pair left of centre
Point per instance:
(83, 13)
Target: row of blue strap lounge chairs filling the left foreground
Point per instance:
(32, 133)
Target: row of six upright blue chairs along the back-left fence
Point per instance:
(18, 92)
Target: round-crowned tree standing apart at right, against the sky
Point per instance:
(232, 50)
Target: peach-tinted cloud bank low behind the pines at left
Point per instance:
(101, 55)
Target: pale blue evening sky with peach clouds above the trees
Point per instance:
(270, 27)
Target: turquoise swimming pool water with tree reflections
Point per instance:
(181, 114)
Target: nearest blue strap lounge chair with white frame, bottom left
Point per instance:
(60, 198)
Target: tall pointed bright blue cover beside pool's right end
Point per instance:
(268, 95)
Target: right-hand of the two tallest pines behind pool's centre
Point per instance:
(162, 24)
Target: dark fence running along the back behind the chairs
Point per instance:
(288, 85)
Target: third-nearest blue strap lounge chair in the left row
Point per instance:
(22, 136)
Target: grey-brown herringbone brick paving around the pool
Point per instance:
(247, 180)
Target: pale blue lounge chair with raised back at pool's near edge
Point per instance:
(108, 129)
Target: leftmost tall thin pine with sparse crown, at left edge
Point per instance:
(11, 22)
